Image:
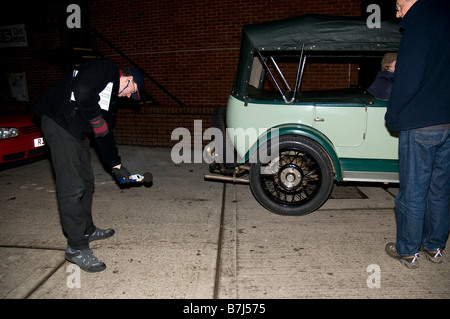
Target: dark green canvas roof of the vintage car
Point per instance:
(322, 33)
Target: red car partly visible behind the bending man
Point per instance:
(21, 139)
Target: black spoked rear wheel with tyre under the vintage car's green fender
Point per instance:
(297, 182)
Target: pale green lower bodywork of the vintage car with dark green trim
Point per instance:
(353, 134)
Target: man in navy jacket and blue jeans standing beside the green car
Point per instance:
(419, 107)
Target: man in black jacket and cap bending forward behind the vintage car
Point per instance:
(80, 106)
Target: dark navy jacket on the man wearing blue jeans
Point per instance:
(421, 92)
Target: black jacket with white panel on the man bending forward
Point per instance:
(75, 100)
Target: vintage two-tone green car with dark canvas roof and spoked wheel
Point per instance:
(310, 139)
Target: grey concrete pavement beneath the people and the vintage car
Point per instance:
(188, 238)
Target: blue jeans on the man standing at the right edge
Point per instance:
(422, 205)
